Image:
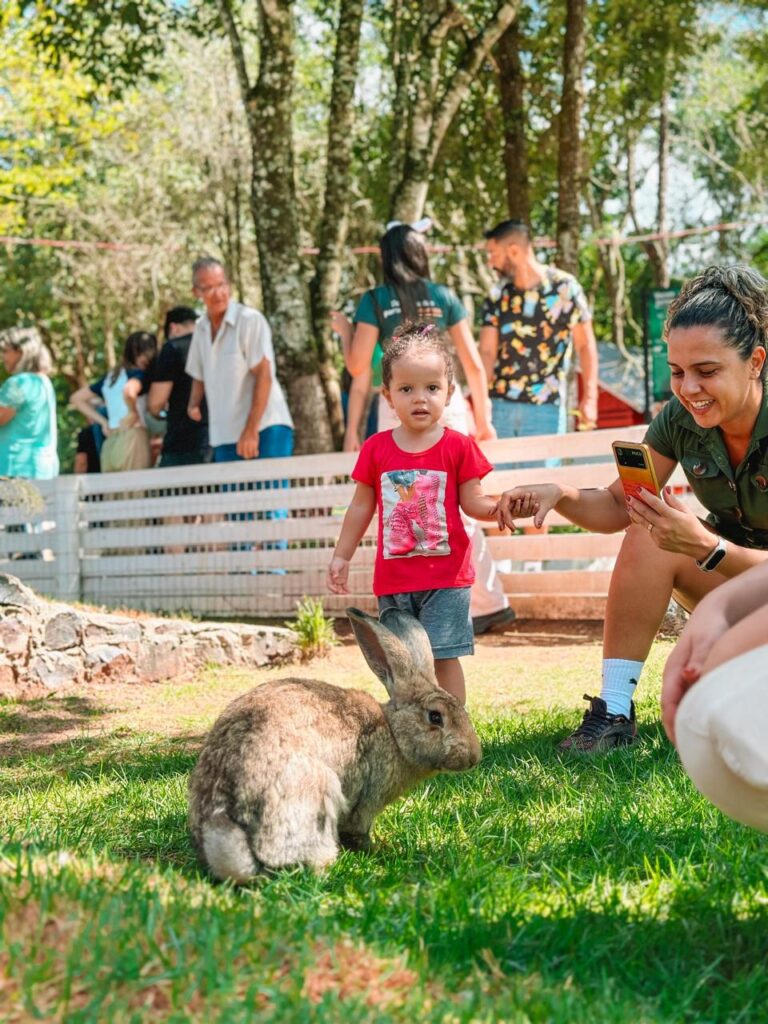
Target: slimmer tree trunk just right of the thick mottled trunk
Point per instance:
(333, 229)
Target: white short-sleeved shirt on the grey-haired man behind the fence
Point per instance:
(225, 366)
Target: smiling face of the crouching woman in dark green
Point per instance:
(713, 382)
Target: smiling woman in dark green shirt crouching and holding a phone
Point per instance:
(716, 428)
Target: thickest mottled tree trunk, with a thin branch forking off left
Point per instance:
(269, 108)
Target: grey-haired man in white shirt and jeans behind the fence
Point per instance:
(232, 362)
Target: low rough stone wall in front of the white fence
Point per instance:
(48, 648)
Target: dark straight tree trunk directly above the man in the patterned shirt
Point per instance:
(513, 96)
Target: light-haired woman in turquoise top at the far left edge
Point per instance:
(28, 408)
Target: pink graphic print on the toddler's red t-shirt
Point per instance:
(414, 514)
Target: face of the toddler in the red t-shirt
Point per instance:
(419, 390)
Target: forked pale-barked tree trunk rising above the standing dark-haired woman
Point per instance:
(436, 106)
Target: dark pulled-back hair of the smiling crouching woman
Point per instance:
(733, 298)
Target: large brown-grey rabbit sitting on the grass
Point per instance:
(297, 767)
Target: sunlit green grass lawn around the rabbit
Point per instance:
(531, 889)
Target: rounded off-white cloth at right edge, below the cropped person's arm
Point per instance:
(721, 730)
